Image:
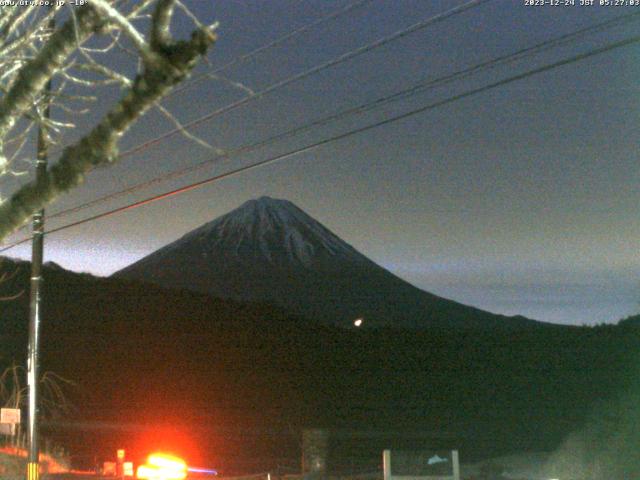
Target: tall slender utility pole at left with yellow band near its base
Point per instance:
(35, 300)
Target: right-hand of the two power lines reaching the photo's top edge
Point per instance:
(312, 71)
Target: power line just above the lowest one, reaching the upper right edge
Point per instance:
(367, 106)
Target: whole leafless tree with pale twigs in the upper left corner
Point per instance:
(33, 53)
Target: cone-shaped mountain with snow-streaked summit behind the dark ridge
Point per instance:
(269, 250)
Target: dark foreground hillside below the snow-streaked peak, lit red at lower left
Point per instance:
(243, 378)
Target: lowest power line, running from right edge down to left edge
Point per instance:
(342, 136)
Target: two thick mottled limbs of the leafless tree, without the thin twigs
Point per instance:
(168, 63)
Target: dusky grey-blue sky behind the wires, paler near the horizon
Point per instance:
(521, 199)
